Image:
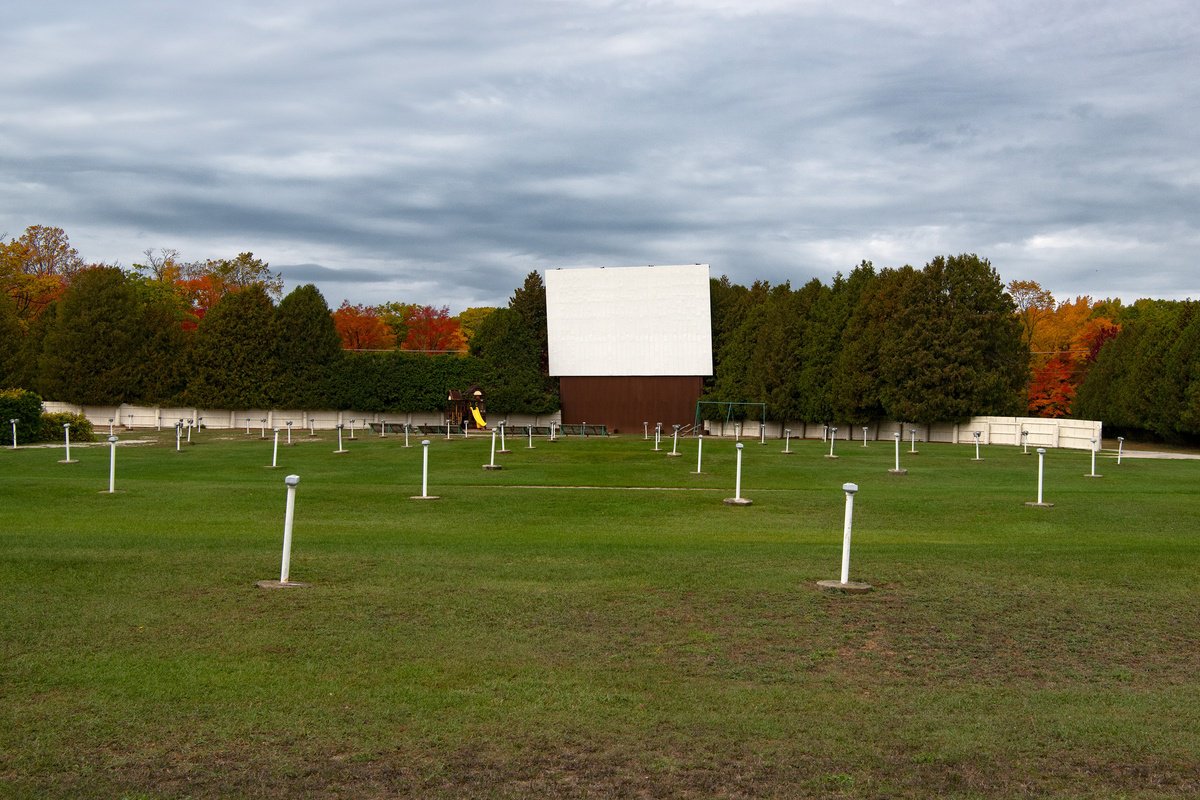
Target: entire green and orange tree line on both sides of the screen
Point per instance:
(933, 345)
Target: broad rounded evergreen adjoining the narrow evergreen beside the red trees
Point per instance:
(233, 354)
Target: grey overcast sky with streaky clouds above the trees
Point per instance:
(436, 152)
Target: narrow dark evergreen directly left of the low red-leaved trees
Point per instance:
(308, 350)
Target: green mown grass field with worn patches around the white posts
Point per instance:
(592, 622)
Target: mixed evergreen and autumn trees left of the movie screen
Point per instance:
(212, 335)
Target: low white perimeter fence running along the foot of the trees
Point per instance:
(1040, 432)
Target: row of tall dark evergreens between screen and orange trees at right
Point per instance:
(937, 345)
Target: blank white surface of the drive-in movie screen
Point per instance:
(629, 321)
